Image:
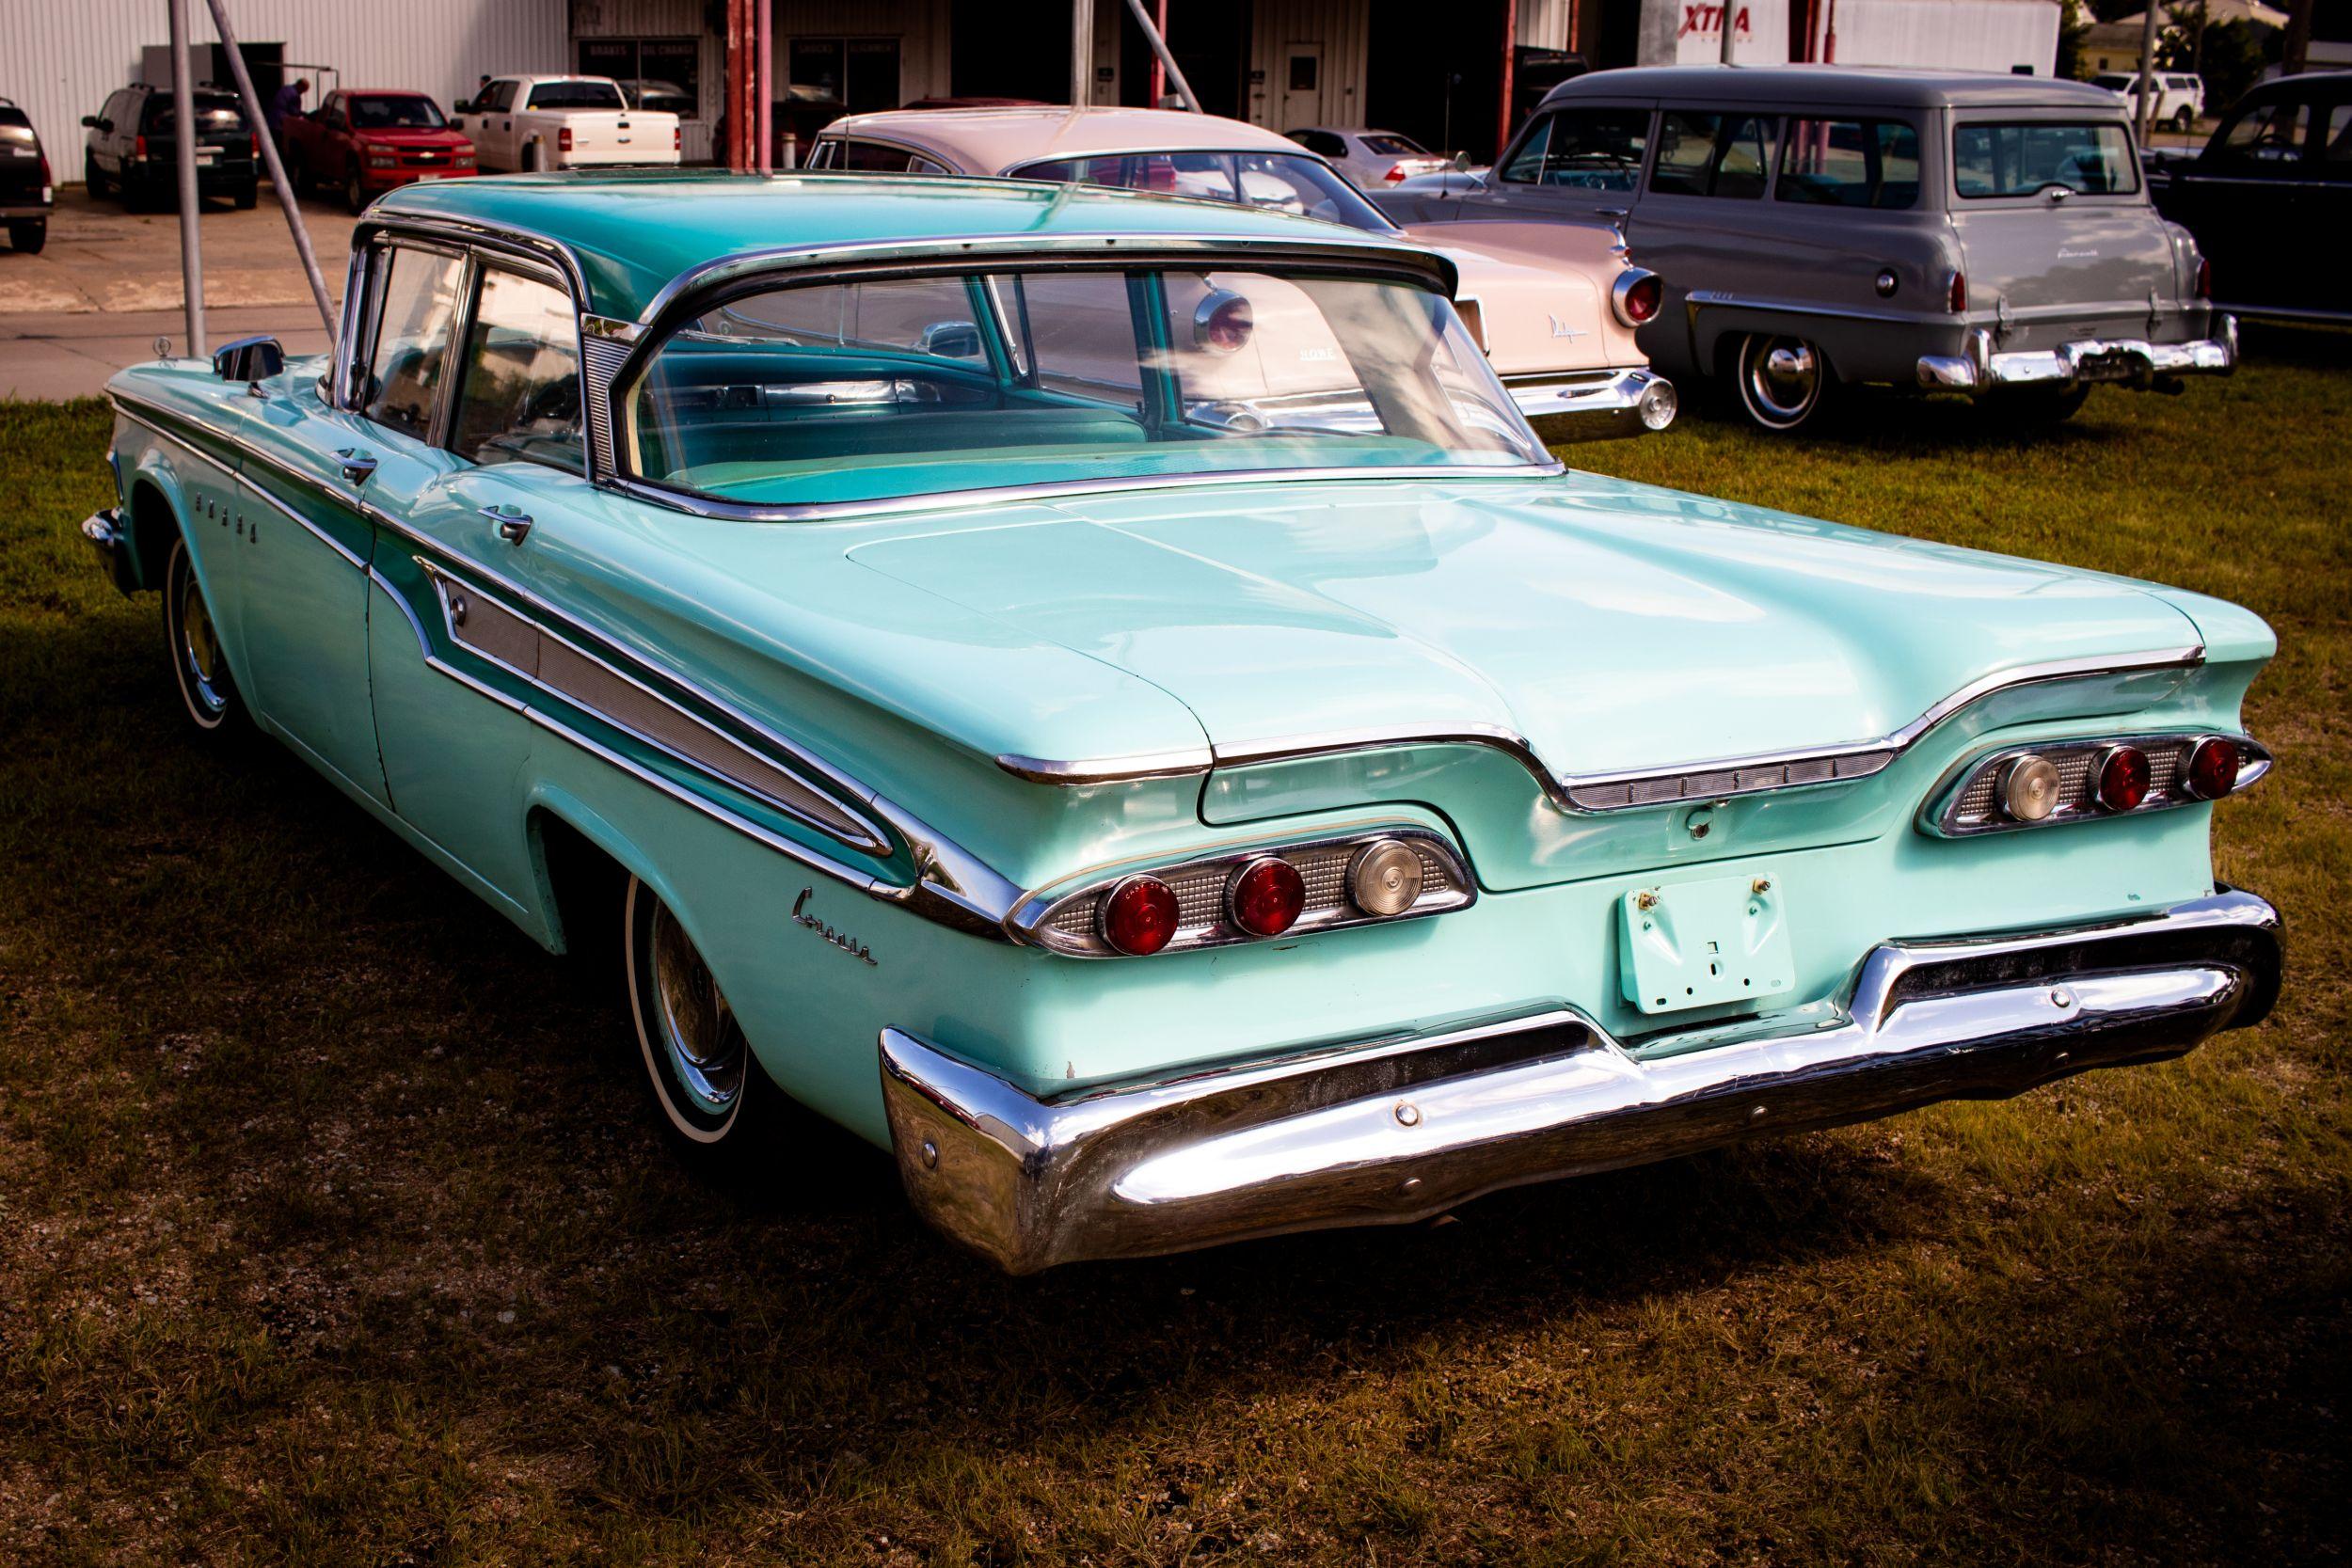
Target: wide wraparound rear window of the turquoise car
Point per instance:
(916, 387)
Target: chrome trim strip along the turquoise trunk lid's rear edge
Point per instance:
(1582, 793)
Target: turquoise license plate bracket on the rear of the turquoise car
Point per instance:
(1704, 944)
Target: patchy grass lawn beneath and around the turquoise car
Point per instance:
(335, 1226)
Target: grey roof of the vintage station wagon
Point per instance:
(1831, 86)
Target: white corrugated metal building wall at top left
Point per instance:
(62, 58)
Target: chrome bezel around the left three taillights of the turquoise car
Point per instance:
(1067, 918)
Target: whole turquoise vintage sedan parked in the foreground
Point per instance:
(1156, 793)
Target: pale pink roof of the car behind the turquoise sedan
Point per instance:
(991, 140)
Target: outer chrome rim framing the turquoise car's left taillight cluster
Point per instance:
(1029, 920)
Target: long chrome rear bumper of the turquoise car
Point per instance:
(1408, 1127)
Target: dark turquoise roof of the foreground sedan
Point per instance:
(632, 234)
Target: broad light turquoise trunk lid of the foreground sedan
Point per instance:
(1610, 624)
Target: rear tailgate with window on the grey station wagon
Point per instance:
(2057, 232)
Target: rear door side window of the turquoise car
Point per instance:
(523, 377)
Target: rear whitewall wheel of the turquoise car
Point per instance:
(695, 1054)
